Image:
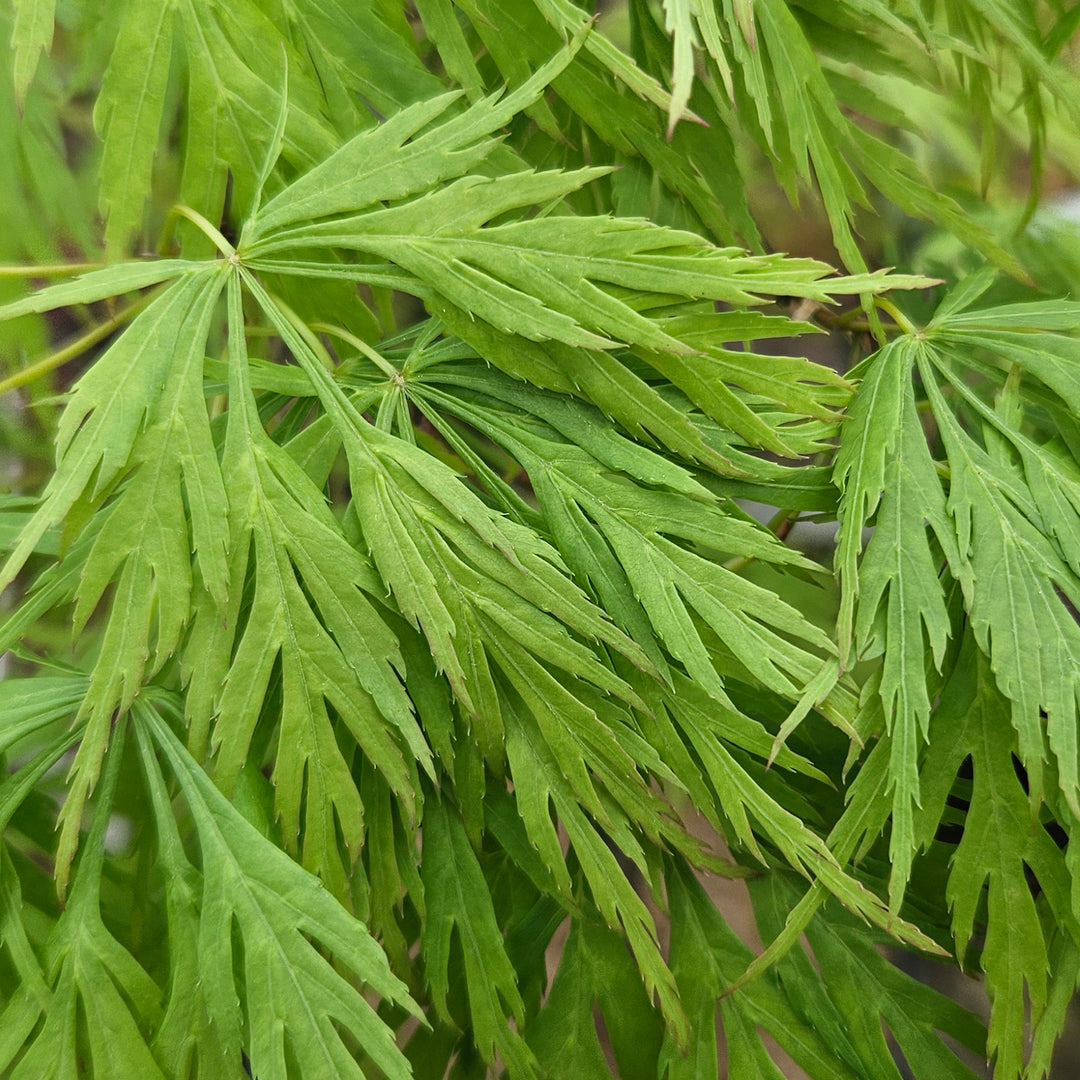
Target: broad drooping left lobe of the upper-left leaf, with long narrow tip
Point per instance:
(140, 407)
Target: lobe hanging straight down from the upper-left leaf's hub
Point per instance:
(310, 623)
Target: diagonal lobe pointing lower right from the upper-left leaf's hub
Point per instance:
(458, 571)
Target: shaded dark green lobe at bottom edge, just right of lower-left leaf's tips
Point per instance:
(457, 897)
